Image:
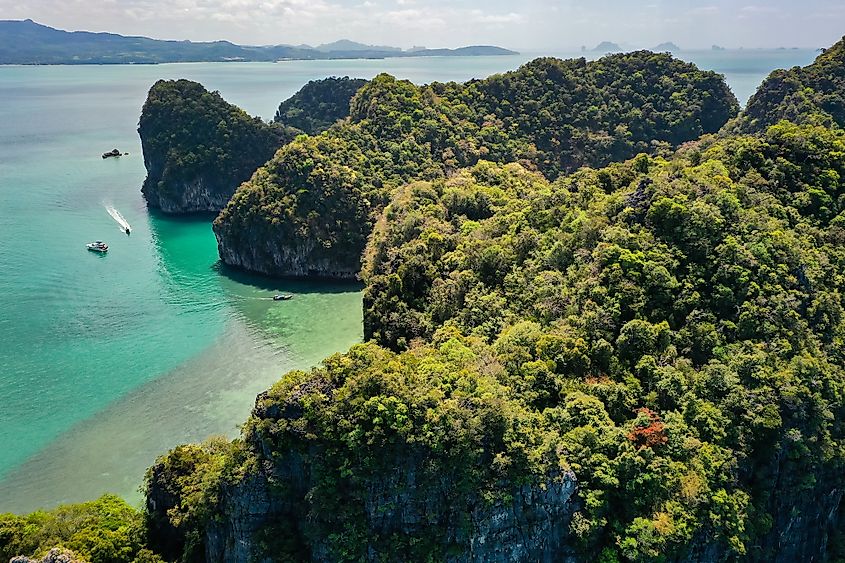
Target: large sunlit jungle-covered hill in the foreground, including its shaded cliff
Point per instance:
(667, 333)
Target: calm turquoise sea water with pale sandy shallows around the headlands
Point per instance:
(107, 361)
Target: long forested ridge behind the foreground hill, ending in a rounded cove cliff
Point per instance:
(309, 210)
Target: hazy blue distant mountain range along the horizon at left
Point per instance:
(28, 42)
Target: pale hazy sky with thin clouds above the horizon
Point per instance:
(525, 24)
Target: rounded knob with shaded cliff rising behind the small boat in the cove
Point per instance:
(316, 226)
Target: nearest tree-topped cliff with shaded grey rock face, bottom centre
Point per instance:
(301, 485)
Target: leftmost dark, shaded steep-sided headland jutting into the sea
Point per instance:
(198, 148)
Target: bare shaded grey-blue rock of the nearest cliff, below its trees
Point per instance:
(532, 525)
